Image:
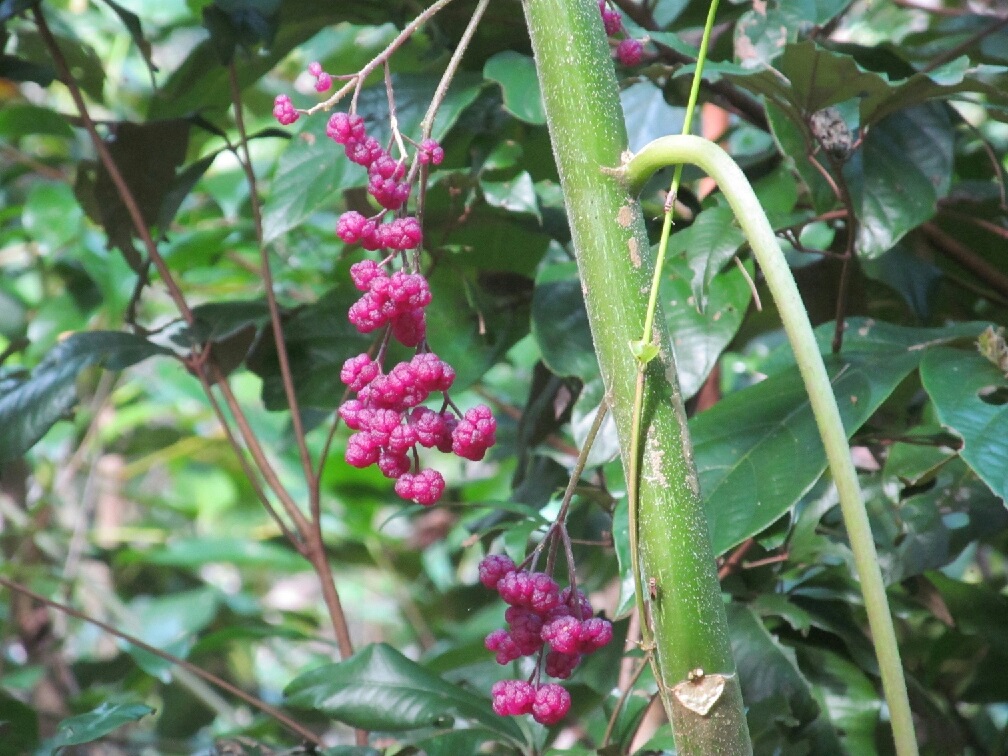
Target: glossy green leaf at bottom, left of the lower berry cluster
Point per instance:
(380, 689)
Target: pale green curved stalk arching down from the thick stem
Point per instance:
(736, 189)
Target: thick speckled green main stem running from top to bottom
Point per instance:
(685, 611)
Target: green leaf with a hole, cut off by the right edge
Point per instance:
(965, 390)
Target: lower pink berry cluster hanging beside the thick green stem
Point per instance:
(540, 614)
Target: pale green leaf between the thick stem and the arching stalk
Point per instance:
(699, 337)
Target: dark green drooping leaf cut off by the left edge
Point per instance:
(31, 407)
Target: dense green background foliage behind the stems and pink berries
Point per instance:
(875, 136)
